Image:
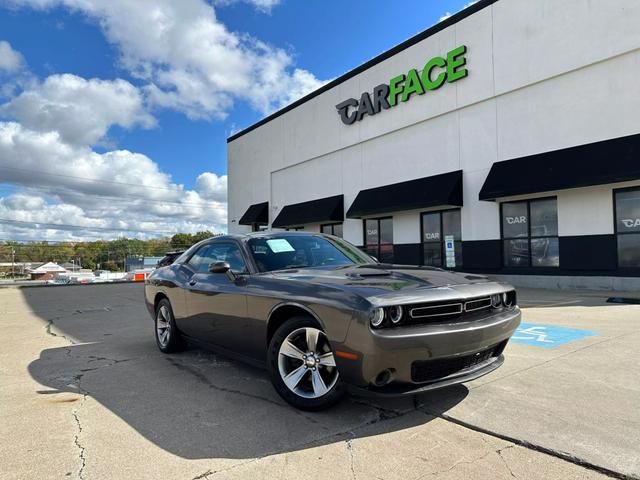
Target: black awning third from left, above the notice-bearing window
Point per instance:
(438, 190)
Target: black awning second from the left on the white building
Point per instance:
(329, 209)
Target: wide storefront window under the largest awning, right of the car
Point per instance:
(530, 233)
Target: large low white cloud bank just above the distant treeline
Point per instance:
(69, 184)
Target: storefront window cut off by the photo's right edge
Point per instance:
(628, 227)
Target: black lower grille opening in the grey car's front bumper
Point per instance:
(431, 370)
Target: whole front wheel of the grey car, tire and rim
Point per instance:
(302, 365)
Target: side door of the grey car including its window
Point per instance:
(216, 303)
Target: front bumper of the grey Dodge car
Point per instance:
(424, 357)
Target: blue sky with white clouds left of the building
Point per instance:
(114, 114)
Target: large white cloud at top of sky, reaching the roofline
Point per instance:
(189, 60)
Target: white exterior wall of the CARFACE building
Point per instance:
(543, 75)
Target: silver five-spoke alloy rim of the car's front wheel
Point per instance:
(306, 363)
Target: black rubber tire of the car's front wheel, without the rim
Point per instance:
(334, 393)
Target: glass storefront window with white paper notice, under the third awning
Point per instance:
(437, 227)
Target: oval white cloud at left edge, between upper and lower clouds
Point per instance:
(80, 110)
